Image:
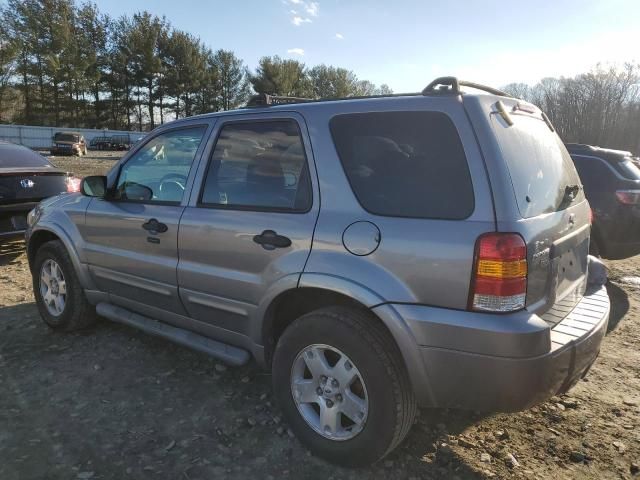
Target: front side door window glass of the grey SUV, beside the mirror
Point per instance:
(158, 171)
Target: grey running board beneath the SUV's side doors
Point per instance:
(227, 353)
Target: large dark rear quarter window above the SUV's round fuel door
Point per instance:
(405, 164)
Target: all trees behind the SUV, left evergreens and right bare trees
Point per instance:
(64, 63)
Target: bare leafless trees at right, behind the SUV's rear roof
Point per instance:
(601, 107)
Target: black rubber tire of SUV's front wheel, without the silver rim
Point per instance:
(78, 313)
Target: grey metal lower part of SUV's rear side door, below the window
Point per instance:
(223, 273)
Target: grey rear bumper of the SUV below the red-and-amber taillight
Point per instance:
(467, 379)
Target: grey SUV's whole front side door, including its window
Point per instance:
(132, 237)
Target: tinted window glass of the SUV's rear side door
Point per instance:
(259, 165)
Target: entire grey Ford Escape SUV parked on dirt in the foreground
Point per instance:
(376, 254)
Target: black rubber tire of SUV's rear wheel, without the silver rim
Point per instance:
(392, 405)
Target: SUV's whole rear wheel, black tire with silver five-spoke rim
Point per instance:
(343, 387)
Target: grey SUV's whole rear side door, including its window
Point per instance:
(257, 184)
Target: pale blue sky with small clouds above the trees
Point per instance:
(407, 43)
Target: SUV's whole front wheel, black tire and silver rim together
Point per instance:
(59, 295)
